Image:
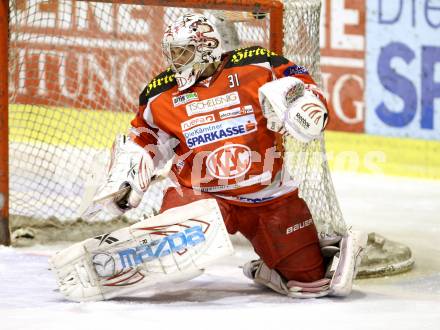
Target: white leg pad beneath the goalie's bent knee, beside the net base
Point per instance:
(343, 257)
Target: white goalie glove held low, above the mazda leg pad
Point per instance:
(130, 167)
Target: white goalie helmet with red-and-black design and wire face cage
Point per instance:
(190, 44)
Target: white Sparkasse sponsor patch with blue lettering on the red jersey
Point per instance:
(229, 128)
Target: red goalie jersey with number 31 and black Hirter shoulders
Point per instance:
(216, 128)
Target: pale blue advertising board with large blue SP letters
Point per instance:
(403, 68)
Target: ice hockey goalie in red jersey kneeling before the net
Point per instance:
(222, 117)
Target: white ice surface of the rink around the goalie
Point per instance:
(401, 209)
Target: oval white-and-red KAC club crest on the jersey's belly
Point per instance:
(229, 162)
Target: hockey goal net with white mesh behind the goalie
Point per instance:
(76, 68)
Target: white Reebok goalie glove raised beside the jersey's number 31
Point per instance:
(289, 106)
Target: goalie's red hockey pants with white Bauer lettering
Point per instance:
(280, 231)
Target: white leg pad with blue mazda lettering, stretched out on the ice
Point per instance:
(171, 247)
